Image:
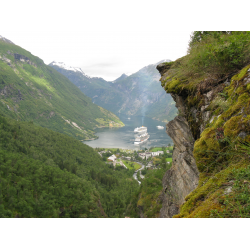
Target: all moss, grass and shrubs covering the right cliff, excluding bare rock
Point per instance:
(217, 61)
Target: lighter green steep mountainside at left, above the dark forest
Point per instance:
(32, 91)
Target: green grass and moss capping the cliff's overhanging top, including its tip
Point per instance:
(212, 58)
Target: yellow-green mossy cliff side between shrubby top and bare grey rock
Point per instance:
(218, 114)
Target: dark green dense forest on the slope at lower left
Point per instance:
(47, 174)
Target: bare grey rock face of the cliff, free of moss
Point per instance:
(183, 176)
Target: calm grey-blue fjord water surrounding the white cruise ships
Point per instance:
(124, 137)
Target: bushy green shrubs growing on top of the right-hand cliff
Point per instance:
(216, 54)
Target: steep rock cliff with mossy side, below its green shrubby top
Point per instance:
(210, 175)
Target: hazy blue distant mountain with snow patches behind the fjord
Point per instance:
(136, 94)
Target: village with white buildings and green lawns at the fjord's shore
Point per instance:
(138, 161)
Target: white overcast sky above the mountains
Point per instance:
(106, 54)
